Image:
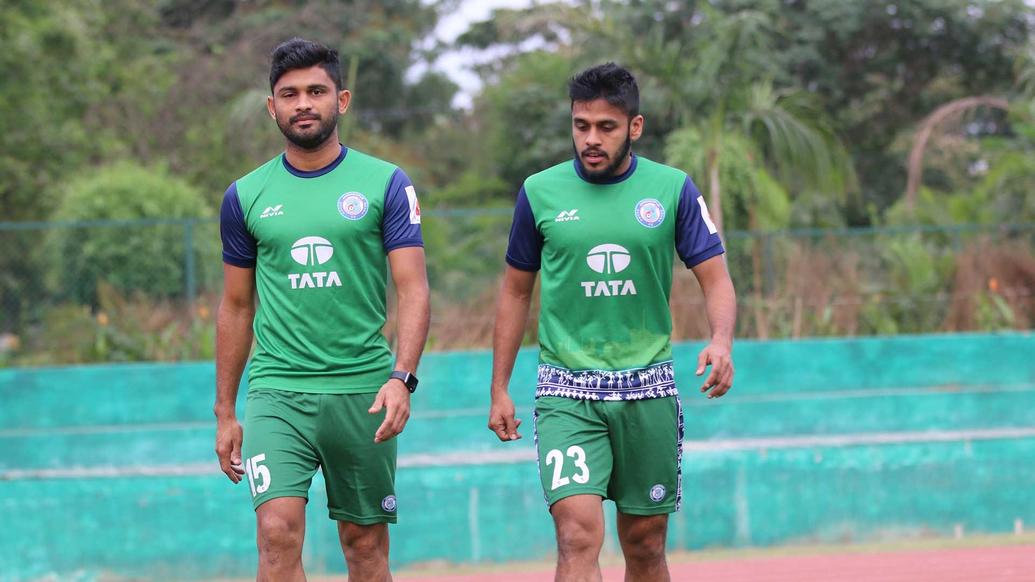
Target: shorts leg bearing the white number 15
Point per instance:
(280, 459)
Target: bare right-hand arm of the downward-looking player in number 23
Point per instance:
(721, 302)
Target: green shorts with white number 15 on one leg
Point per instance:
(288, 435)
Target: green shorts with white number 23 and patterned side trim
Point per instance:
(626, 451)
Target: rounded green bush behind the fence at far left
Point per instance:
(150, 260)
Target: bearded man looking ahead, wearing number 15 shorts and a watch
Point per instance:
(310, 232)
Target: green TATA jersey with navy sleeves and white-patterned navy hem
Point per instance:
(606, 251)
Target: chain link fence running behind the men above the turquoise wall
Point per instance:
(147, 290)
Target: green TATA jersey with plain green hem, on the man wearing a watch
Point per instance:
(318, 243)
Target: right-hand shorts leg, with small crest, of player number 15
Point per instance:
(361, 474)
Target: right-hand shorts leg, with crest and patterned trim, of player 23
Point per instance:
(646, 436)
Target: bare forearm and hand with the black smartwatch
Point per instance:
(410, 277)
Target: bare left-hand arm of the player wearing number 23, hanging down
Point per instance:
(512, 316)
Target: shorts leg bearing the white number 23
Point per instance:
(573, 448)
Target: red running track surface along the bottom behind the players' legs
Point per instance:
(1013, 564)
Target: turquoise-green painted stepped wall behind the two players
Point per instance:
(882, 393)
